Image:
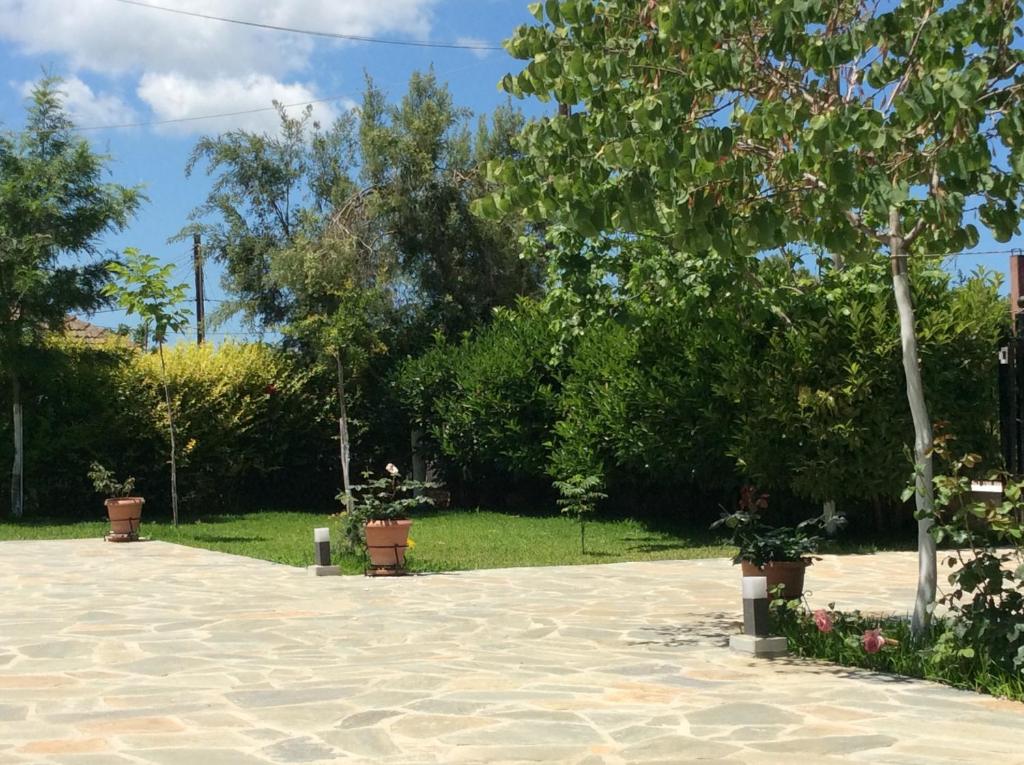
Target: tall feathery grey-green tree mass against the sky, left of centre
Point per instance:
(396, 180)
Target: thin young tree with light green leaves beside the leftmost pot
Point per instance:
(143, 289)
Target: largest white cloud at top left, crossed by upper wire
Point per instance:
(112, 37)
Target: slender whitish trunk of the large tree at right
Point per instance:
(924, 498)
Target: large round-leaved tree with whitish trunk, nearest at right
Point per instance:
(729, 130)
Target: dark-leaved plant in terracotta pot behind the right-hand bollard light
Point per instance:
(780, 554)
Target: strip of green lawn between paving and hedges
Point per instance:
(445, 541)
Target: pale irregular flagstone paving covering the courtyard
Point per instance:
(154, 654)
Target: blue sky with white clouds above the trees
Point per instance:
(129, 65)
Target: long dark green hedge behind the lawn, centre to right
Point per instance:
(795, 384)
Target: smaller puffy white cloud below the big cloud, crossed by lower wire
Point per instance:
(177, 97)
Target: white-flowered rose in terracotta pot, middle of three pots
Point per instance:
(378, 521)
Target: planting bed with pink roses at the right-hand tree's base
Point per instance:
(976, 642)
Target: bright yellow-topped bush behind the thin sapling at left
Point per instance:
(250, 420)
